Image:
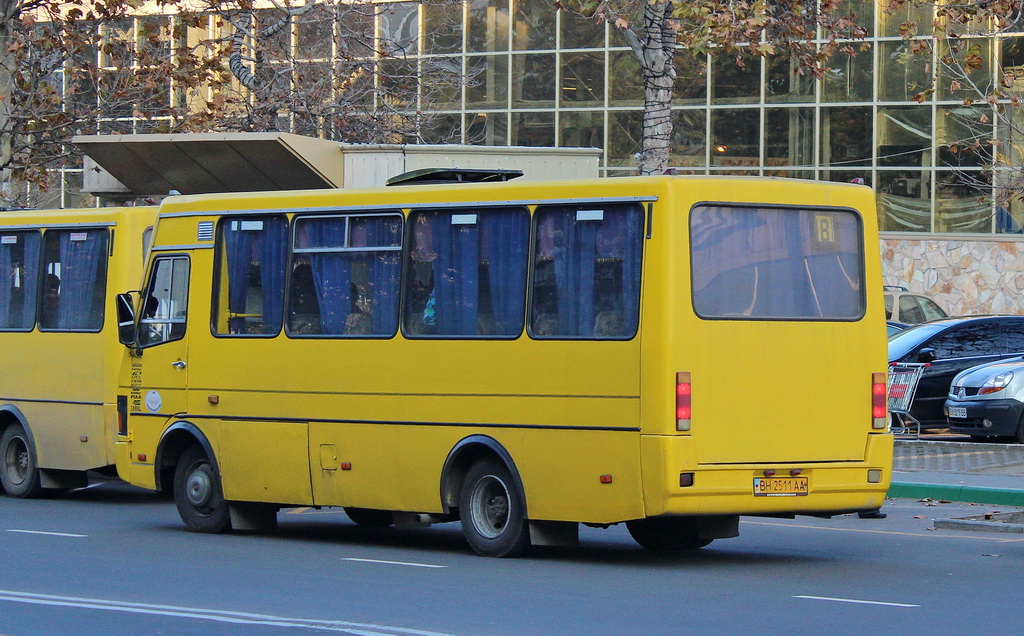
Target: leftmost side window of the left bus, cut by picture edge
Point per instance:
(19, 280)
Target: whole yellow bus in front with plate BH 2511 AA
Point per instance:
(669, 353)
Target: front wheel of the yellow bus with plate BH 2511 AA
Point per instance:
(198, 495)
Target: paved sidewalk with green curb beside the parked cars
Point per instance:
(966, 472)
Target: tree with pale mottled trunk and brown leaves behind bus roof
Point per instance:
(809, 31)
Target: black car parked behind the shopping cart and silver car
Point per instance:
(950, 347)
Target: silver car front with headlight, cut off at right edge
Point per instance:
(988, 401)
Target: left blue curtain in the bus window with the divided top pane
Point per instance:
(332, 275)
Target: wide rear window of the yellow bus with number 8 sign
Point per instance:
(777, 264)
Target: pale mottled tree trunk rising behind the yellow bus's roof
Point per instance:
(658, 64)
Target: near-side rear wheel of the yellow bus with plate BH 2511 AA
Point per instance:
(492, 512)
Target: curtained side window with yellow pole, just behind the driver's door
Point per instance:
(251, 258)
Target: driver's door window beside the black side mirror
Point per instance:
(164, 314)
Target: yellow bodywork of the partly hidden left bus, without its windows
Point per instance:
(60, 386)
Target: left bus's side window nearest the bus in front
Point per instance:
(74, 280)
